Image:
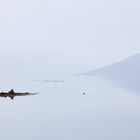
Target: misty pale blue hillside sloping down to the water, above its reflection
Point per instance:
(129, 66)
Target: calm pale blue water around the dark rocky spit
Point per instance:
(110, 110)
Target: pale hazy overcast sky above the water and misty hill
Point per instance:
(74, 36)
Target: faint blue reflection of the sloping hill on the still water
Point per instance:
(129, 82)
